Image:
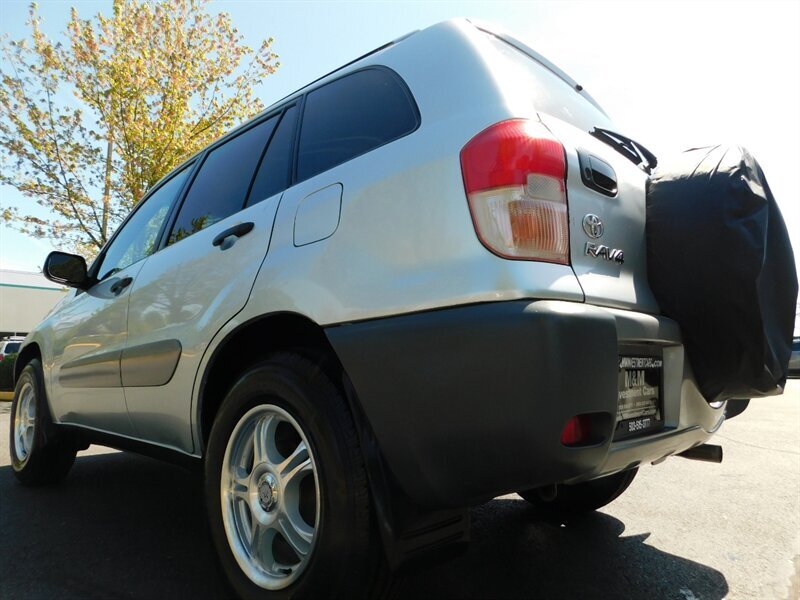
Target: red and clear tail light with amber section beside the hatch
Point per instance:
(515, 178)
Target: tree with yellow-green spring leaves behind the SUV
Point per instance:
(88, 125)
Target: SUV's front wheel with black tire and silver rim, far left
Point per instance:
(42, 457)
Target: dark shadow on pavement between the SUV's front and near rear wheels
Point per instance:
(120, 526)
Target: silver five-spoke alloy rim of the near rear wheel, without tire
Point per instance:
(270, 498)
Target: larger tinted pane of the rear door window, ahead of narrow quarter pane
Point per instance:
(221, 185)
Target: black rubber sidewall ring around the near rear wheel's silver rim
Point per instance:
(273, 383)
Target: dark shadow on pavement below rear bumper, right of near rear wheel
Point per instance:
(515, 554)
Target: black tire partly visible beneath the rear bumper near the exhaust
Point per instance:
(571, 500)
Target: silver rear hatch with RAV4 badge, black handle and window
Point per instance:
(605, 186)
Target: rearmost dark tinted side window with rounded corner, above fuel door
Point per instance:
(351, 116)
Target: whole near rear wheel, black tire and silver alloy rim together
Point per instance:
(333, 548)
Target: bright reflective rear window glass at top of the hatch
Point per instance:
(549, 93)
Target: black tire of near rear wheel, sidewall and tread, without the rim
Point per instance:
(346, 559)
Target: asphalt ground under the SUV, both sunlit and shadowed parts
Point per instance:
(123, 526)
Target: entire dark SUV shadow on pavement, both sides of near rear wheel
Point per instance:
(123, 526)
